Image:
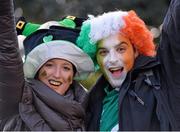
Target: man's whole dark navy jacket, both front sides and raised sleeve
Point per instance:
(143, 104)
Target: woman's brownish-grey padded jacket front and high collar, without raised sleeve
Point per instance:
(50, 108)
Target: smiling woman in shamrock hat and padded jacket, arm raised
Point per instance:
(49, 99)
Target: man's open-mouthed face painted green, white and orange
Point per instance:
(115, 57)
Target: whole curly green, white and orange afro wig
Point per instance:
(126, 23)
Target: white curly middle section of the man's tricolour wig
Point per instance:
(106, 24)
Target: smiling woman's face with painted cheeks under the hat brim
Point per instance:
(57, 74)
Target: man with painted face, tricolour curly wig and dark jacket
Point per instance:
(133, 93)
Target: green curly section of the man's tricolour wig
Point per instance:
(84, 42)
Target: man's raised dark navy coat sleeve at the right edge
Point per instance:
(169, 55)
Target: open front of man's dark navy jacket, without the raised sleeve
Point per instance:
(141, 105)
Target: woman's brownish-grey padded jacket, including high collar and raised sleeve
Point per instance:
(30, 104)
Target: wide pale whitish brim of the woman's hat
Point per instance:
(58, 49)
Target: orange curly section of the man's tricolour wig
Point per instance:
(139, 34)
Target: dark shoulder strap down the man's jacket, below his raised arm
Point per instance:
(154, 81)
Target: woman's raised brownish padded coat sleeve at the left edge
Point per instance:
(11, 66)
